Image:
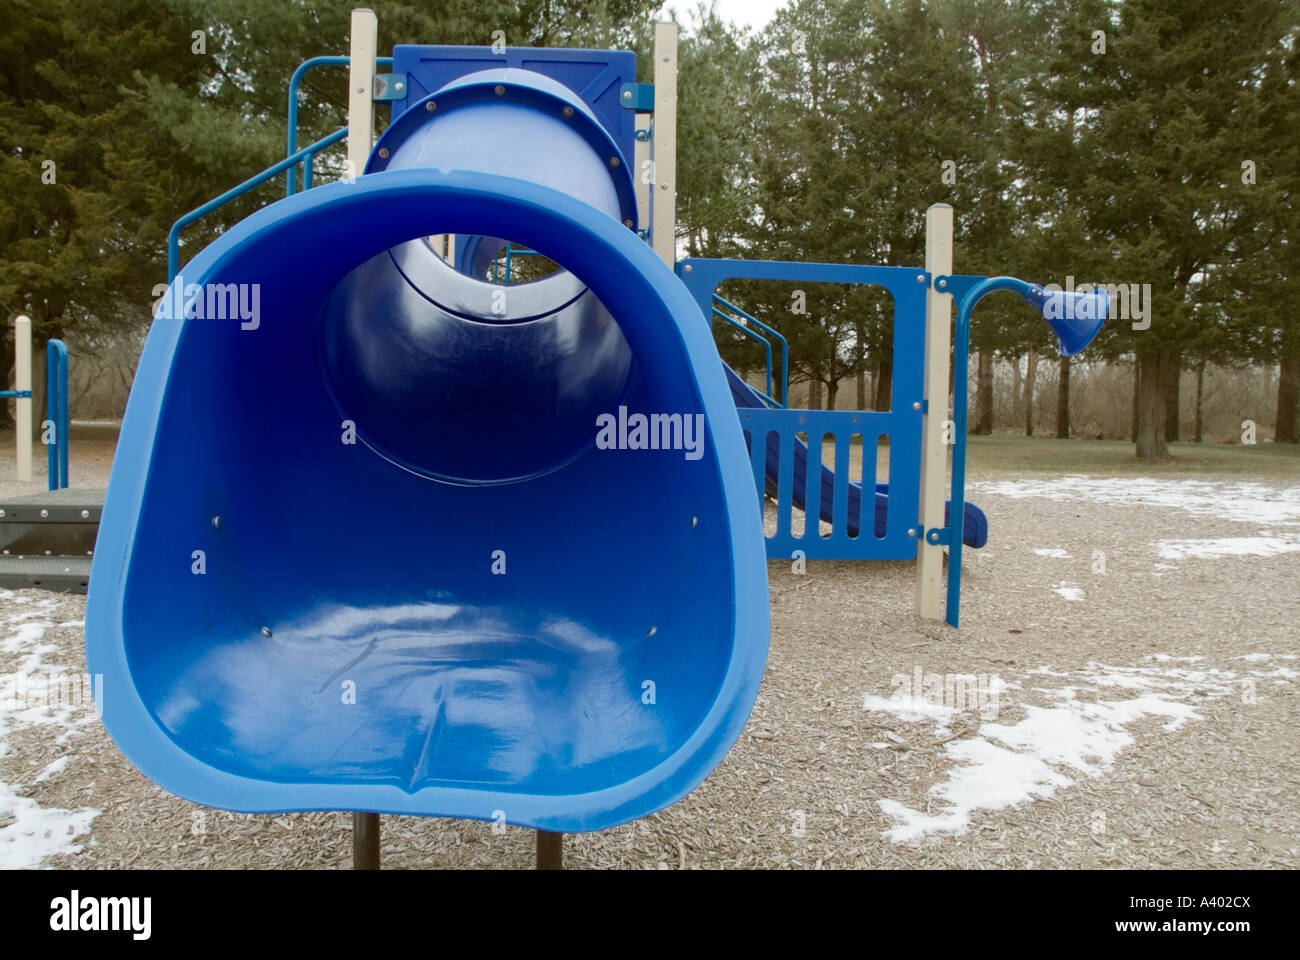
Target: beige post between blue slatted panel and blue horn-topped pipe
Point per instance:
(934, 449)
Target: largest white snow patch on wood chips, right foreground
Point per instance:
(1077, 732)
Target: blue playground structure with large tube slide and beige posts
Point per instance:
(430, 586)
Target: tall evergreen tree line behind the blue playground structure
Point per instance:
(1147, 144)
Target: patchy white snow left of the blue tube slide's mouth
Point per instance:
(32, 695)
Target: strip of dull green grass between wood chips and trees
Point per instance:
(1016, 455)
